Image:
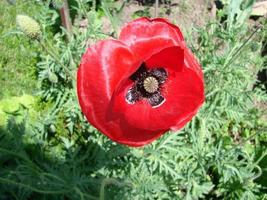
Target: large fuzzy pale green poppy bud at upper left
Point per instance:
(29, 26)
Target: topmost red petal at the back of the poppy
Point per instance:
(147, 37)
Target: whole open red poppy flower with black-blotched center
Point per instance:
(138, 87)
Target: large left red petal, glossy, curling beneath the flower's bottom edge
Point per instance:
(101, 70)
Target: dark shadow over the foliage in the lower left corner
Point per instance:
(31, 169)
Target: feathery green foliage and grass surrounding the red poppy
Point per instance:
(49, 151)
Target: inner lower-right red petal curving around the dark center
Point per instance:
(183, 91)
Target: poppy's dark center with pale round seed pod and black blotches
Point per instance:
(147, 85)
